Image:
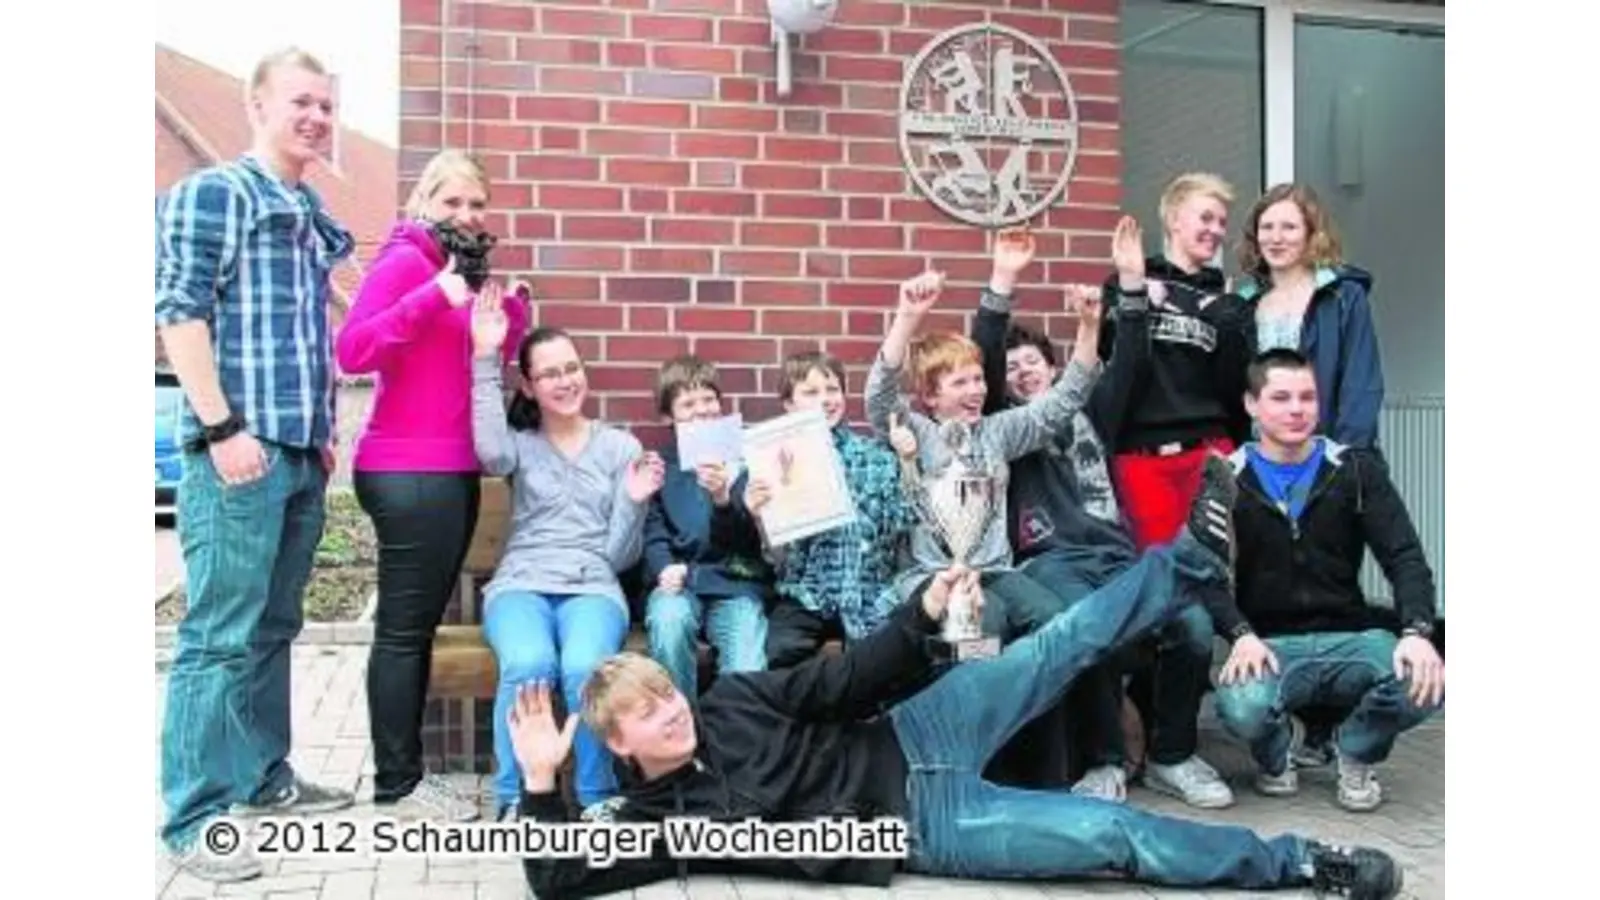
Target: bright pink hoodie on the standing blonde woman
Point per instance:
(404, 329)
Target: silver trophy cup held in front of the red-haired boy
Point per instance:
(959, 507)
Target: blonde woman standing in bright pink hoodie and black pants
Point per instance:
(417, 473)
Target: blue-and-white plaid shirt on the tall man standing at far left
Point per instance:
(250, 255)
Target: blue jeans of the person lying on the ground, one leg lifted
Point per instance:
(972, 829)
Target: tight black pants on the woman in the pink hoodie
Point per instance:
(425, 524)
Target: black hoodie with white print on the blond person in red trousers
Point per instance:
(1191, 384)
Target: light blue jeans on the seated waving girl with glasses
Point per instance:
(553, 640)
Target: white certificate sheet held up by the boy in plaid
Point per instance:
(798, 457)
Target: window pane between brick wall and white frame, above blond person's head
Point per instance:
(1191, 102)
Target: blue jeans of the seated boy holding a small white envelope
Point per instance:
(737, 627)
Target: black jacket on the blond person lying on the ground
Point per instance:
(785, 745)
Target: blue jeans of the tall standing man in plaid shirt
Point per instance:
(249, 555)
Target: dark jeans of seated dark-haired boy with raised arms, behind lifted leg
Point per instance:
(1177, 680)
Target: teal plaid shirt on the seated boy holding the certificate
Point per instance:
(849, 573)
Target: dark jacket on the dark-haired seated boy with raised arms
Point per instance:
(1060, 497)
